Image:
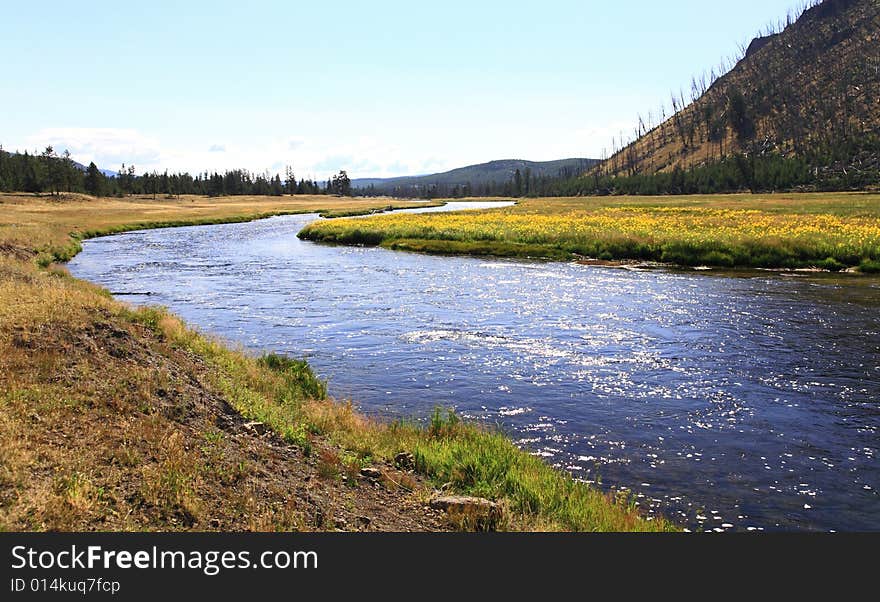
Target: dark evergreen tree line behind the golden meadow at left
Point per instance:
(49, 172)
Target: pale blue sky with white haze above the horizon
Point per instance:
(378, 88)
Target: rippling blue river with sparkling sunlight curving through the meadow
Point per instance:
(735, 401)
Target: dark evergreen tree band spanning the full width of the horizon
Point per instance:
(847, 165)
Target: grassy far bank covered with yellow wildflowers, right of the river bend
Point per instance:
(832, 231)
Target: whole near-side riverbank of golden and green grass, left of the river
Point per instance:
(115, 418)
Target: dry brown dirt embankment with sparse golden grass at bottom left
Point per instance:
(113, 429)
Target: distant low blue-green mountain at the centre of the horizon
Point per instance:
(493, 174)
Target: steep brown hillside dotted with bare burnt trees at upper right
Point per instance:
(799, 109)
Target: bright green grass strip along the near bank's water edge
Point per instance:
(285, 395)
